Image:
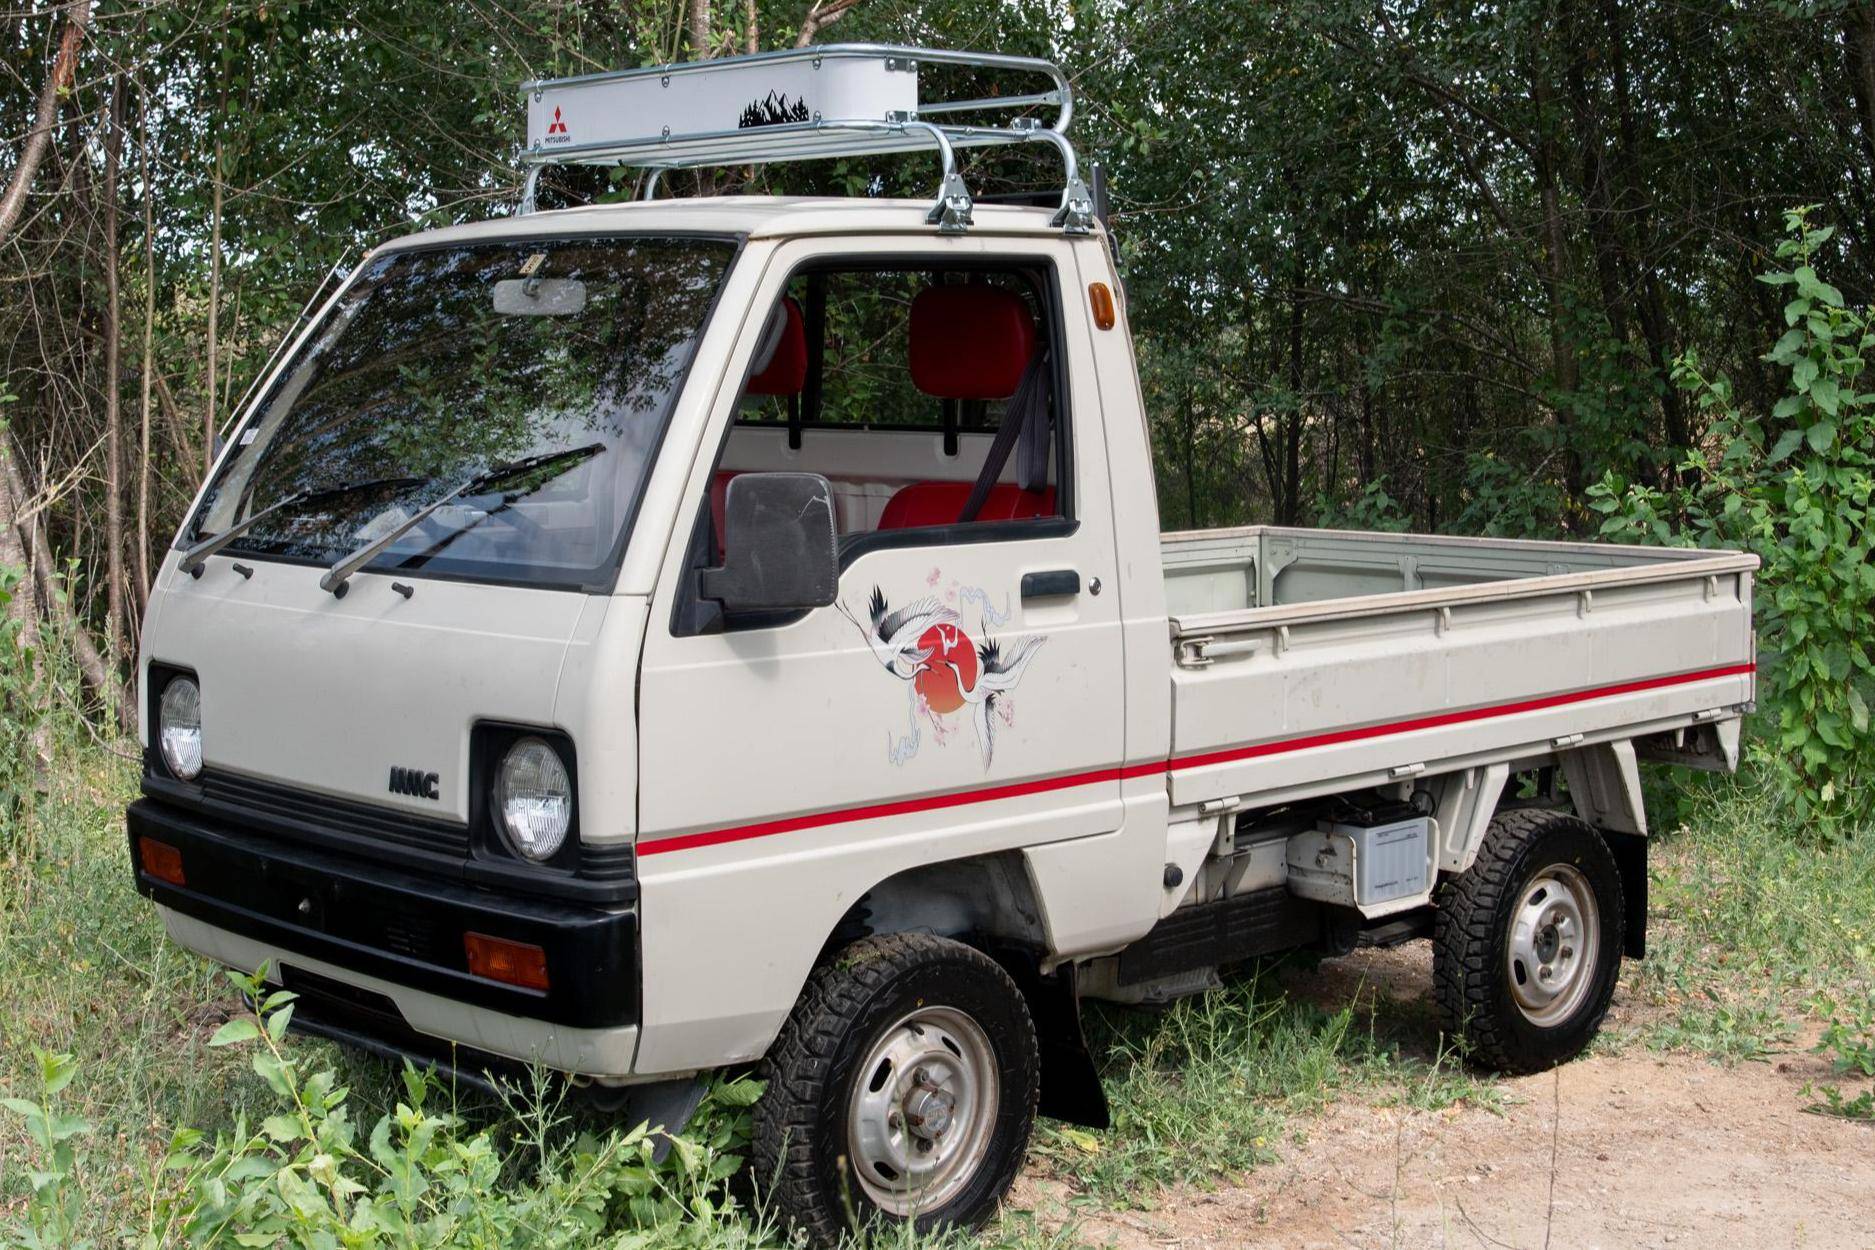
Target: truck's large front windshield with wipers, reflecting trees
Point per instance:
(513, 391)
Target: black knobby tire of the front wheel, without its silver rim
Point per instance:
(800, 1152)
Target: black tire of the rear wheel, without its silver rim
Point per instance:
(1473, 934)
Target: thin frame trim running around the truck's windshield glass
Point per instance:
(607, 574)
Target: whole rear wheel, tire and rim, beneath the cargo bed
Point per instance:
(1529, 942)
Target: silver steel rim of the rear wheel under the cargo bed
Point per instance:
(1555, 942)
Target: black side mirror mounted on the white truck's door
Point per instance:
(779, 546)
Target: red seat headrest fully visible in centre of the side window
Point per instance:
(970, 342)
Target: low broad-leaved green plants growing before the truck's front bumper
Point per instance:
(419, 1178)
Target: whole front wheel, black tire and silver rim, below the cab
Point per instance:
(901, 1088)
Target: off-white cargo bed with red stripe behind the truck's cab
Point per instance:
(1310, 662)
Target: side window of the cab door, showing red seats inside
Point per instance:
(931, 400)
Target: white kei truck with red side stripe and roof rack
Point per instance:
(682, 634)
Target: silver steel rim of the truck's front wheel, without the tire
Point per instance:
(923, 1110)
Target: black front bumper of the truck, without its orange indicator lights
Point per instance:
(393, 925)
